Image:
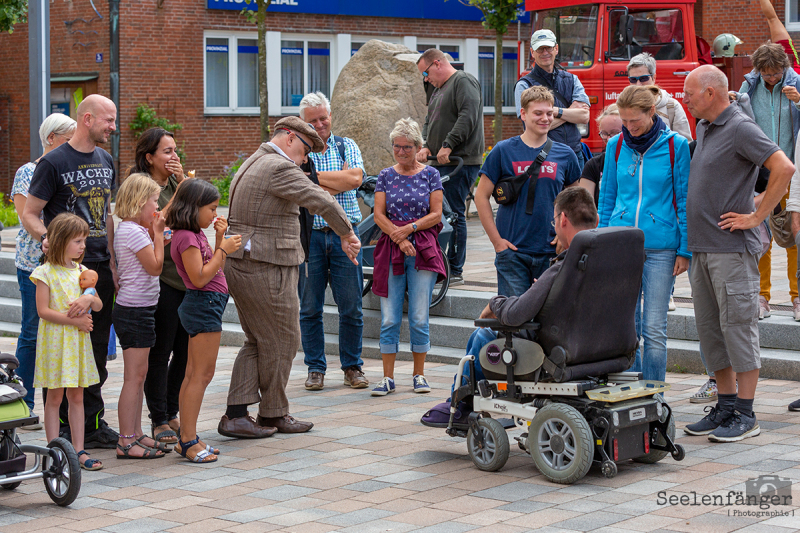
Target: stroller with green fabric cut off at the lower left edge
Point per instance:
(60, 468)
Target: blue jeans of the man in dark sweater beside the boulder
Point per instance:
(456, 190)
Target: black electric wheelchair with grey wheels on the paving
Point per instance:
(562, 377)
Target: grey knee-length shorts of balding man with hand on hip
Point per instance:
(725, 294)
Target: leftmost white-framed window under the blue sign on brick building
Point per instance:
(231, 74)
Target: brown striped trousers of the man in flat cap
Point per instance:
(269, 312)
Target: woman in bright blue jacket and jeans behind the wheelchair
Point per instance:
(645, 179)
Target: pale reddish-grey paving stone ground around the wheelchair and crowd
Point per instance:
(370, 466)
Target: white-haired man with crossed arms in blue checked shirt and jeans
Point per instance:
(340, 176)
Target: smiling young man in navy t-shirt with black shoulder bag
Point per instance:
(525, 243)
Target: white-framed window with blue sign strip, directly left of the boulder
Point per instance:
(305, 68)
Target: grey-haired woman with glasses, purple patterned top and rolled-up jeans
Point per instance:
(408, 210)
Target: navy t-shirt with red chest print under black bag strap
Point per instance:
(531, 234)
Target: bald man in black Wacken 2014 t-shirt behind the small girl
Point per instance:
(78, 177)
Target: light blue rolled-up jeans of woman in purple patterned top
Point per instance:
(420, 285)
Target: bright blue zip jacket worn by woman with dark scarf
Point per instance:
(643, 192)
